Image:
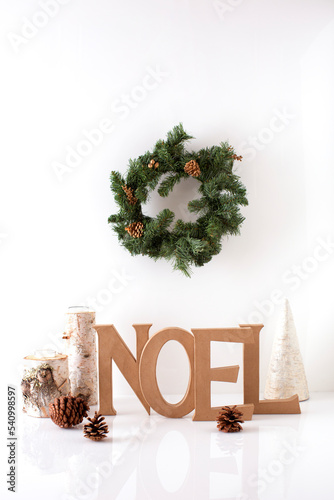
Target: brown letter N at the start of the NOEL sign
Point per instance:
(112, 347)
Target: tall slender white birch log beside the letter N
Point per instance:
(80, 342)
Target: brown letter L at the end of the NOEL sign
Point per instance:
(251, 381)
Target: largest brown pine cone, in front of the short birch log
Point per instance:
(68, 411)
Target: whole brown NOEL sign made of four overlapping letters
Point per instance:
(140, 372)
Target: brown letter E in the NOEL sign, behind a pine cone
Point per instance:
(205, 374)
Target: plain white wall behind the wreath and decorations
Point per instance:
(259, 74)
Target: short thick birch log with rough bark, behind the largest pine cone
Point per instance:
(44, 378)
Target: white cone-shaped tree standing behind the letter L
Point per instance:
(286, 374)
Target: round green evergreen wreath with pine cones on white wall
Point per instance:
(187, 243)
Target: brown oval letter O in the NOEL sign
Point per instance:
(148, 373)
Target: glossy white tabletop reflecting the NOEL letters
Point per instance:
(275, 457)
